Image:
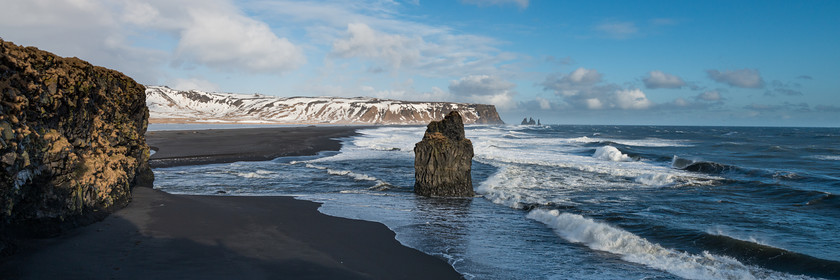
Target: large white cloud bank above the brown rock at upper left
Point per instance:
(140, 38)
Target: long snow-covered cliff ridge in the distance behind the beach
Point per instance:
(169, 105)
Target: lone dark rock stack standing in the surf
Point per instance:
(443, 160)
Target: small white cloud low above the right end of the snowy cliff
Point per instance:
(485, 89)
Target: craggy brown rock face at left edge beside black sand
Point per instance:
(71, 140)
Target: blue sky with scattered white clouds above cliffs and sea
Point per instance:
(718, 63)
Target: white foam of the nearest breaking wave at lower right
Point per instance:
(603, 237)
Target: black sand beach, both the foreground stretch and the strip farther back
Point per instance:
(164, 236)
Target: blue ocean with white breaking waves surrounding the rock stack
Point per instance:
(582, 202)
